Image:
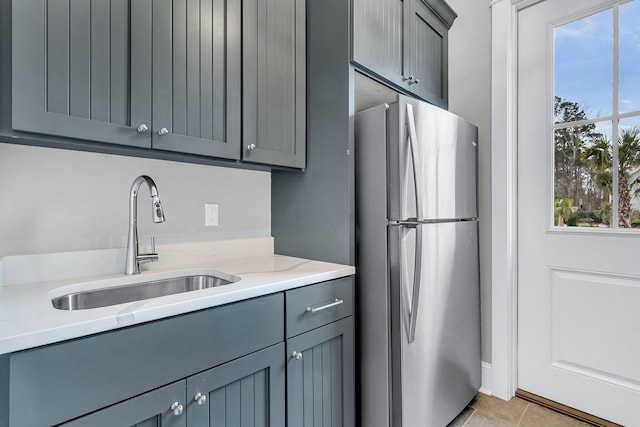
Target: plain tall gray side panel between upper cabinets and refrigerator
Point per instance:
(312, 212)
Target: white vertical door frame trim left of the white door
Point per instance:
(504, 196)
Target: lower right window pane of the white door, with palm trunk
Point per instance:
(629, 173)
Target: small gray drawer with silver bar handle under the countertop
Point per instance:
(316, 305)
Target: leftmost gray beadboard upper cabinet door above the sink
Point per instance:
(82, 69)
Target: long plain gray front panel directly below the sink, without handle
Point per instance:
(126, 362)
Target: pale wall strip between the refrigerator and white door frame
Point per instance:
(470, 97)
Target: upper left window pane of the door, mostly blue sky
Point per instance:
(583, 65)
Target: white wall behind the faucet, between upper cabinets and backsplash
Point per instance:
(54, 200)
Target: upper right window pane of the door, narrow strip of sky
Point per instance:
(629, 57)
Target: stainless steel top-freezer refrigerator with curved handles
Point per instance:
(417, 268)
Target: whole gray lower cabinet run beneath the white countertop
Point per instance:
(281, 359)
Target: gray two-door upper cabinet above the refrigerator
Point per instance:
(404, 42)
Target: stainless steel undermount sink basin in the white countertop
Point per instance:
(139, 291)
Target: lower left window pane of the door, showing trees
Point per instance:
(582, 177)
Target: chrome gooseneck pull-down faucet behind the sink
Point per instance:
(134, 259)
